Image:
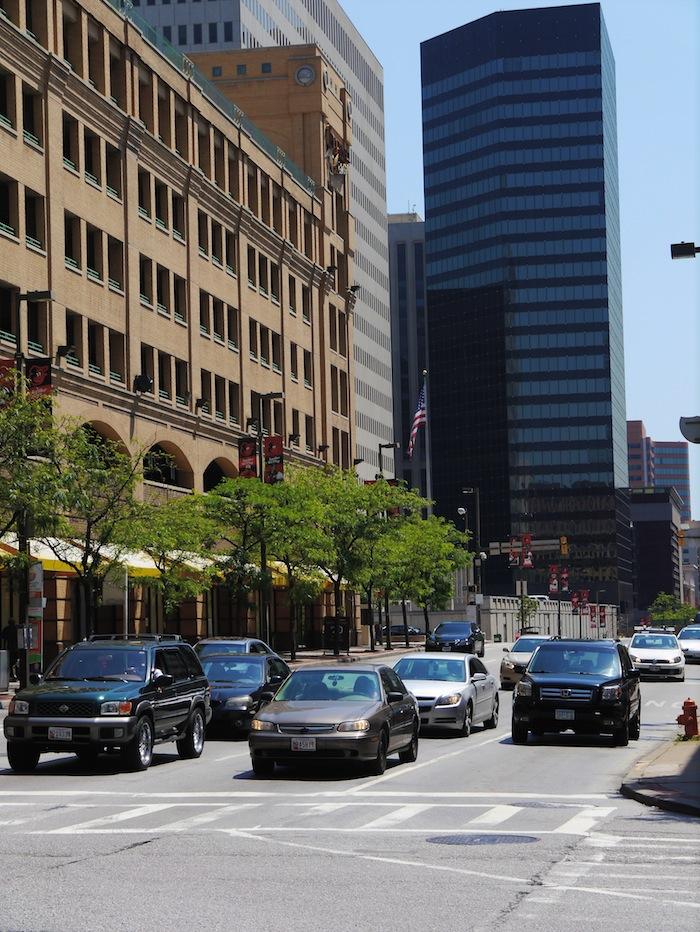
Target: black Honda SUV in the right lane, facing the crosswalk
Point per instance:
(590, 687)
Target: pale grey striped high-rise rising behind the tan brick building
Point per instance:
(241, 24)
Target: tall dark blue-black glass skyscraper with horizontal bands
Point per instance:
(527, 392)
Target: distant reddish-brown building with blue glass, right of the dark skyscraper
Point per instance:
(658, 464)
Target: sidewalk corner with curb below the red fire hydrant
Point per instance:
(668, 778)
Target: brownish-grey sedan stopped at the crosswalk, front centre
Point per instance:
(329, 713)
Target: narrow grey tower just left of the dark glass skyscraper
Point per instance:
(408, 341)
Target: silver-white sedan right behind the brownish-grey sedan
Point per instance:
(452, 692)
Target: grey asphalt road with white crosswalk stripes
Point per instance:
(478, 834)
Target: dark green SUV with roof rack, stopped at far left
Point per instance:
(125, 694)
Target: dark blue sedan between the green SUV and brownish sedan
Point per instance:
(237, 683)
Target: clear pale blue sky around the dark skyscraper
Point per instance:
(656, 44)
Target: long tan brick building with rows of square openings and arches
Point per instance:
(178, 242)
